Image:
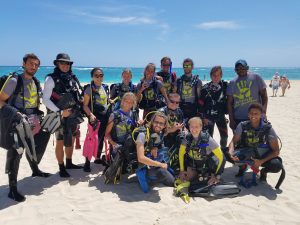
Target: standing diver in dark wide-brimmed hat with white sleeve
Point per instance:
(62, 95)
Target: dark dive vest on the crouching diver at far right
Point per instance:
(252, 137)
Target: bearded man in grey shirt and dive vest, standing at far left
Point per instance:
(23, 93)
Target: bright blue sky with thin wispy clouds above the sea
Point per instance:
(134, 33)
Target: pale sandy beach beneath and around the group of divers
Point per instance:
(85, 199)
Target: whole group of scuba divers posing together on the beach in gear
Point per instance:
(172, 144)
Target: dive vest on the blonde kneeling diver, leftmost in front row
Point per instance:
(123, 126)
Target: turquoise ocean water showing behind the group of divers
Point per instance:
(113, 74)
